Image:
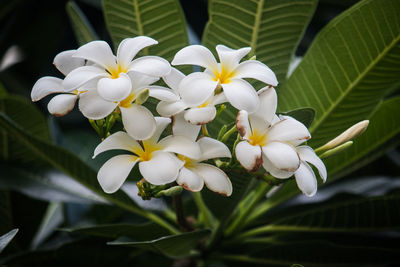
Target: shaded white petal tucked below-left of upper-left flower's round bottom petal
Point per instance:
(94, 106)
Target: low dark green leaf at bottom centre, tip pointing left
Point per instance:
(174, 246)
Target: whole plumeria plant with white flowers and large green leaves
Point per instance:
(211, 153)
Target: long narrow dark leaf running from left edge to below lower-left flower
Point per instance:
(66, 162)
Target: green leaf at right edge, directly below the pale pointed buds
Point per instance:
(382, 134)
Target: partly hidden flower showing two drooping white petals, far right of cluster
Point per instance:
(304, 175)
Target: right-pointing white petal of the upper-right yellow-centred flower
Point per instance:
(256, 70)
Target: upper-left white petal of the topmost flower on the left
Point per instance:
(98, 52)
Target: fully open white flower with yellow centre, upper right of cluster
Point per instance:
(198, 87)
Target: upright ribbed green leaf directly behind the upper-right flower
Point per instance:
(271, 28)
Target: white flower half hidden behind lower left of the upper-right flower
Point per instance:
(174, 104)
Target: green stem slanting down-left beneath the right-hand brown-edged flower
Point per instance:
(238, 223)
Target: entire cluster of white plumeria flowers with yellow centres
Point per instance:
(108, 84)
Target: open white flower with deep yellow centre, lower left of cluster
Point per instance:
(157, 163)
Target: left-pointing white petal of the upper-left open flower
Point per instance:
(81, 76)
